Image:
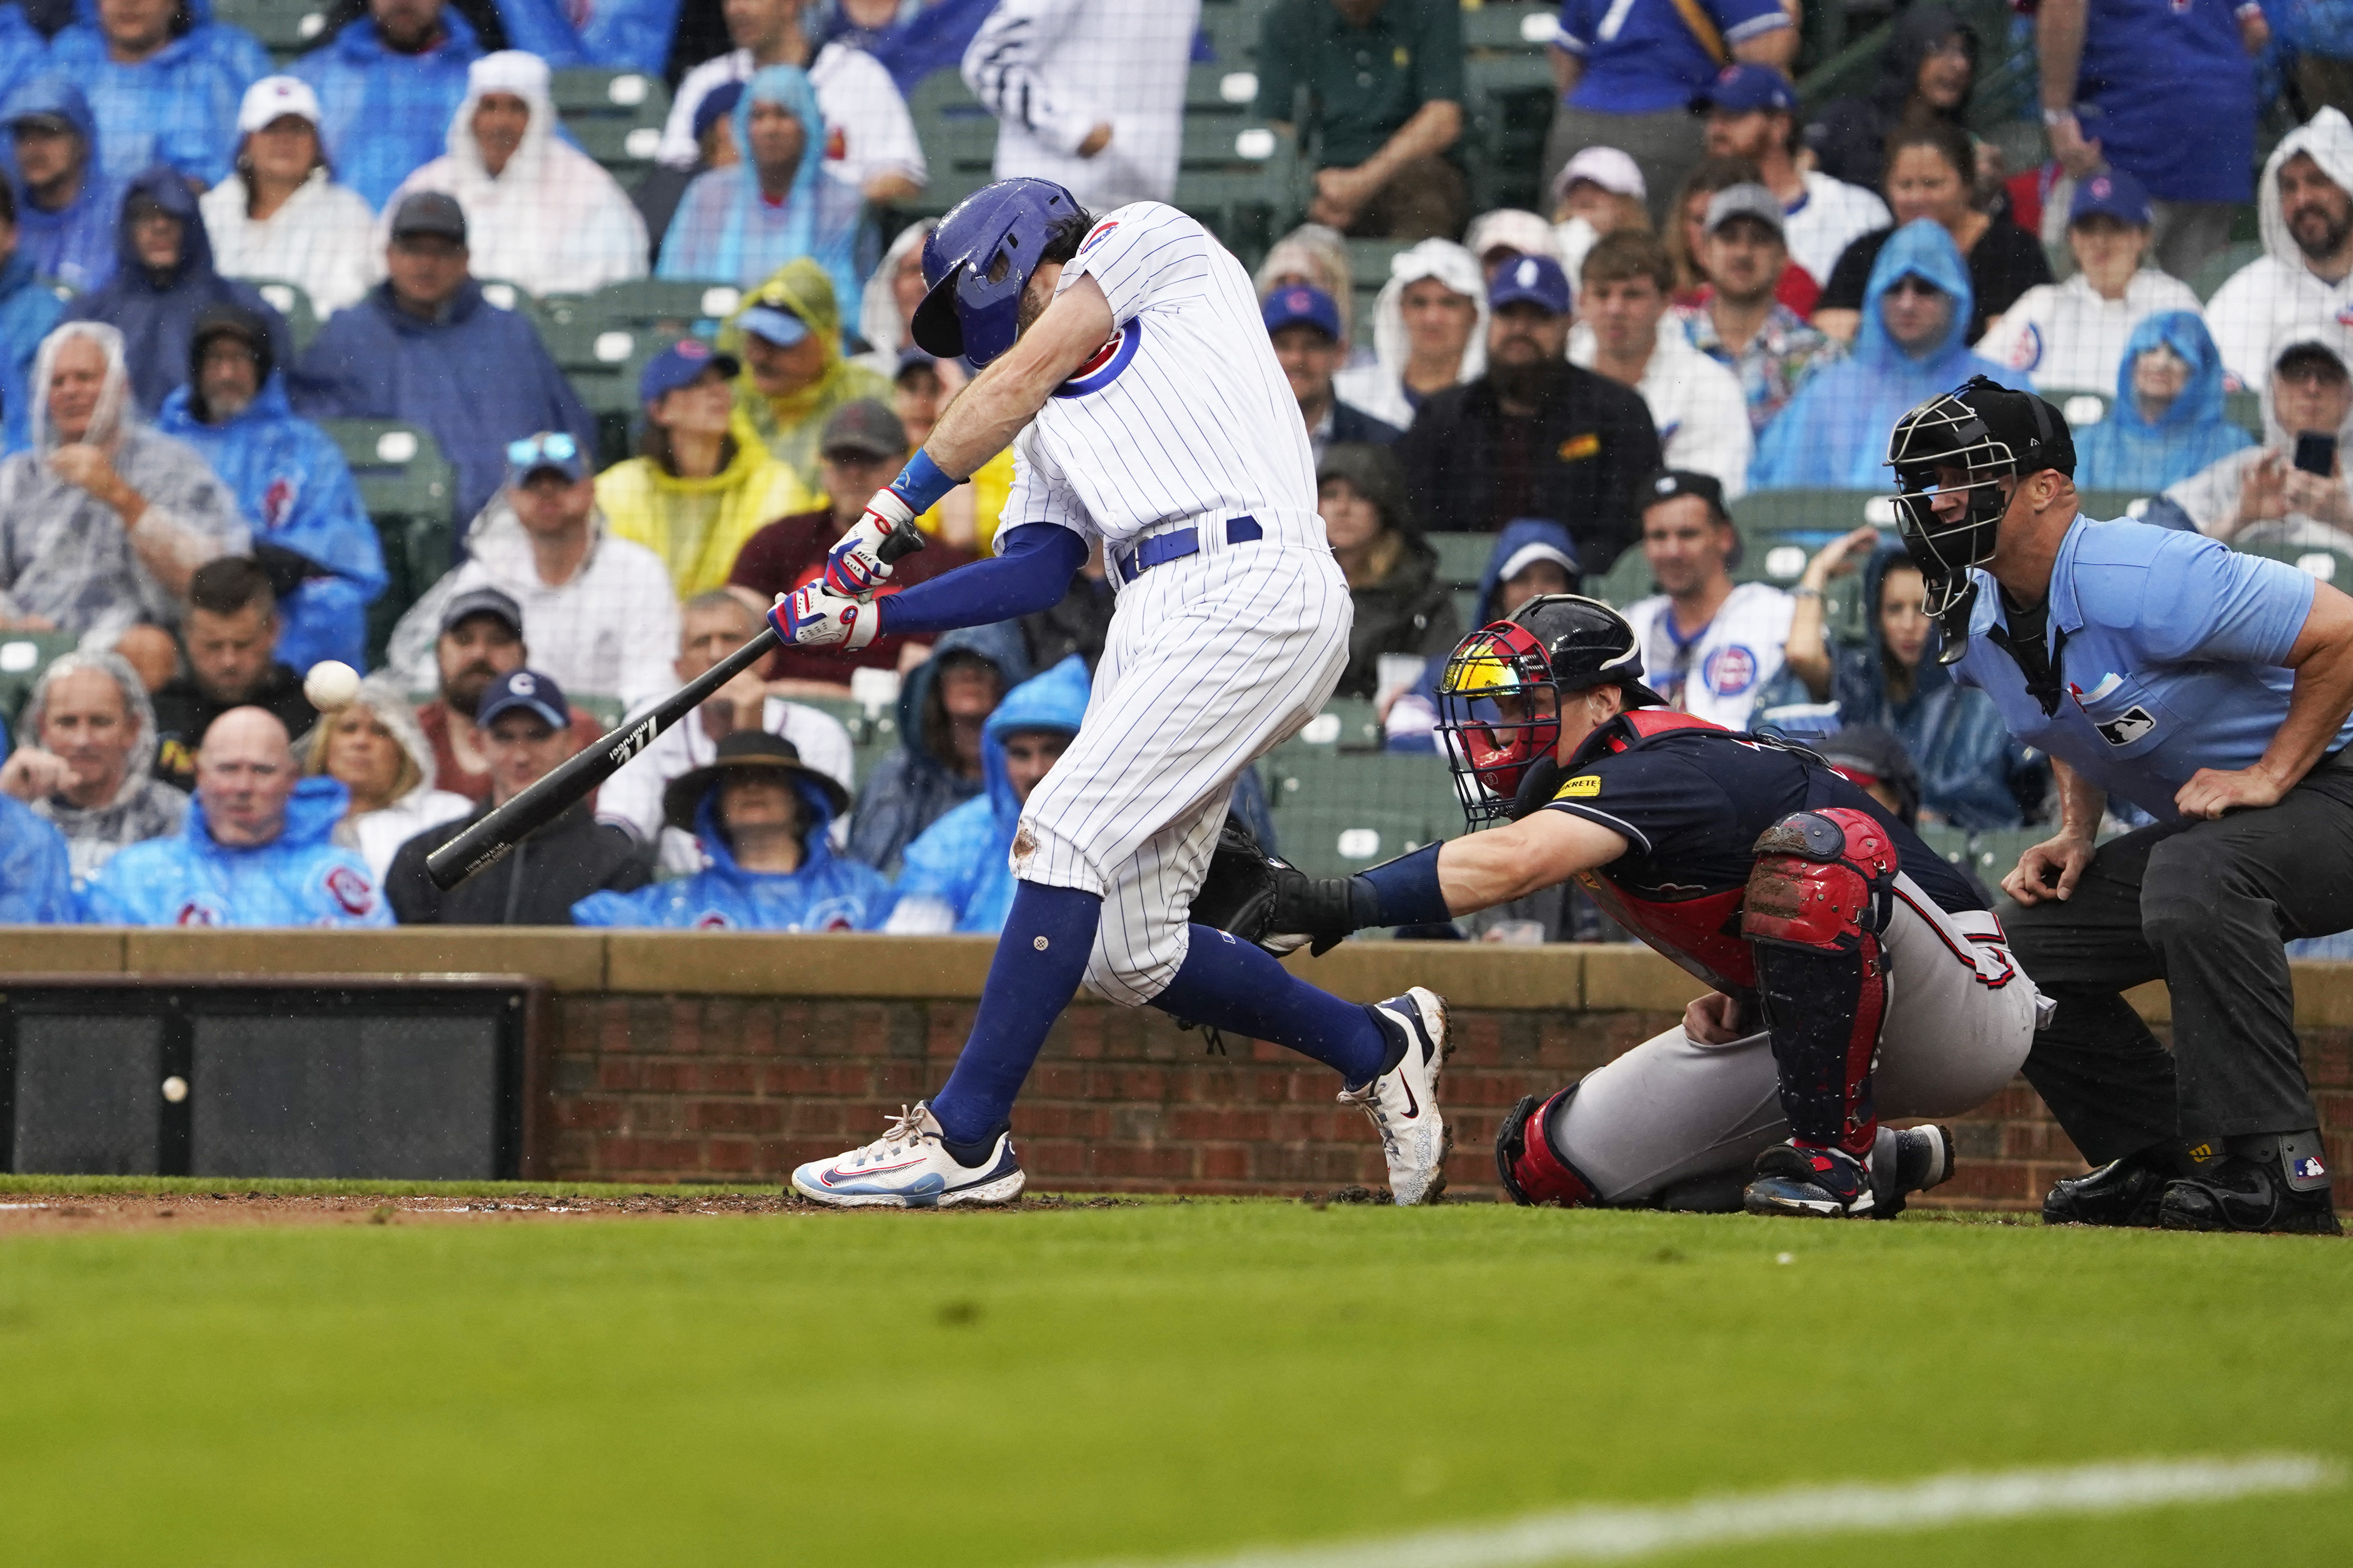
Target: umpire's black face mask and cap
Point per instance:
(1989, 434)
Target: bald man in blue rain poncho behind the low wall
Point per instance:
(258, 847)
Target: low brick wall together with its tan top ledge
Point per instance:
(726, 1057)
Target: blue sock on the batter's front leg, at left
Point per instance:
(1041, 958)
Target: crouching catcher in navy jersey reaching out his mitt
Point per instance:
(1853, 972)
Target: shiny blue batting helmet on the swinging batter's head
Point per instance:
(980, 260)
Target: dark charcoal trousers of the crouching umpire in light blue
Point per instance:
(2206, 909)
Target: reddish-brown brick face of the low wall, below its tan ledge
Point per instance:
(745, 1090)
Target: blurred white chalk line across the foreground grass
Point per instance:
(1618, 1534)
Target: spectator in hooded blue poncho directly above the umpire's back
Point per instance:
(2166, 422)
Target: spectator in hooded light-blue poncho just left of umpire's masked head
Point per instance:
(1912, 347)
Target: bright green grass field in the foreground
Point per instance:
(1138, 1383)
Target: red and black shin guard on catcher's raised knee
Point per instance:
(1820, 897)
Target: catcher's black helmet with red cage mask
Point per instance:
(1500, 695)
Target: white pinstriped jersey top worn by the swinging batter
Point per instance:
(1185, 413)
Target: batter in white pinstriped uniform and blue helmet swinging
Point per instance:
(1128, 366)
